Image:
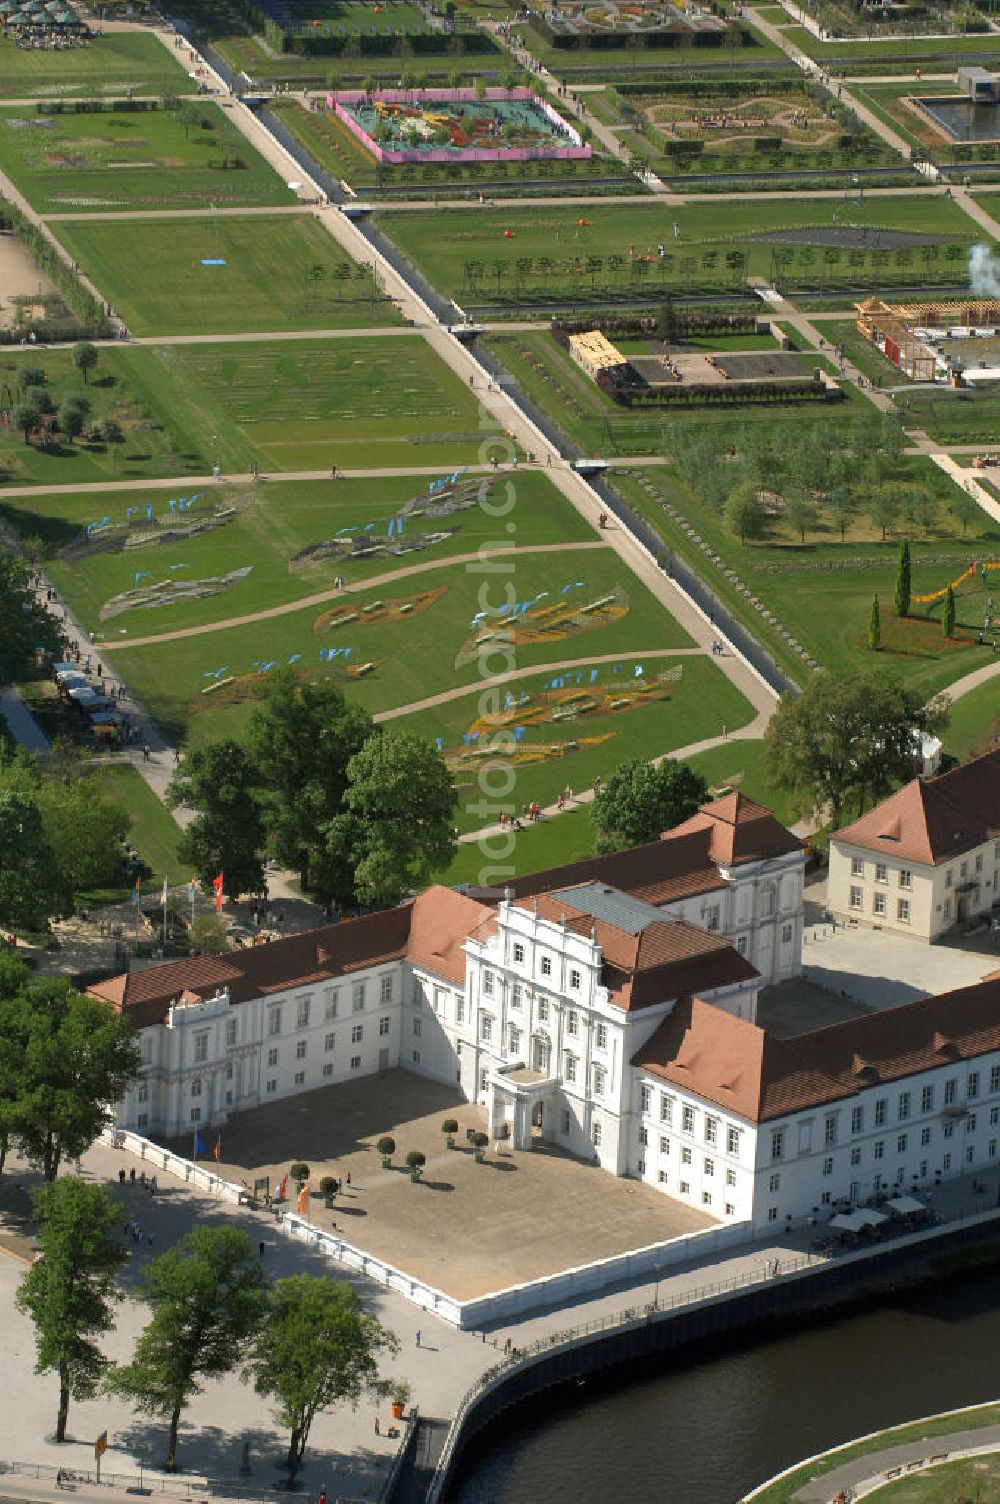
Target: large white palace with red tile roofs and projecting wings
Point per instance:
(608, 1007)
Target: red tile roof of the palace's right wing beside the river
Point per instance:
(738, 1066)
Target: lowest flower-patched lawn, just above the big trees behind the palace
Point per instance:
(700, 706)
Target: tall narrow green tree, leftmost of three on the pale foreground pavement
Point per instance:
(70, 1291)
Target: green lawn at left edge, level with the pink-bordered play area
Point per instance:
(184, 159)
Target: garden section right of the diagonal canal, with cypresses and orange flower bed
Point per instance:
(808, 599)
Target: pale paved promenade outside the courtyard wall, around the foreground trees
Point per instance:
(345, 1454)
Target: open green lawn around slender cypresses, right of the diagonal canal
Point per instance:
(822, 592)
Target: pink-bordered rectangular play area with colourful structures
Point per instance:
(455, 126)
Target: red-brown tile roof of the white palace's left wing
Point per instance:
(429, 930)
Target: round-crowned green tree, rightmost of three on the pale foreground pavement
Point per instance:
(318, 1348)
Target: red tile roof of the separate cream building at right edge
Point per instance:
(935, 820)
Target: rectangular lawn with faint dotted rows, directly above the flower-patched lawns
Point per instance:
(308, 405)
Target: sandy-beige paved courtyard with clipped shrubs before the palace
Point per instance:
(465, 1228)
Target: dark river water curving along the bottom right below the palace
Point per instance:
(708, 1428)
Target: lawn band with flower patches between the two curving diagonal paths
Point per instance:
(416, 655)
